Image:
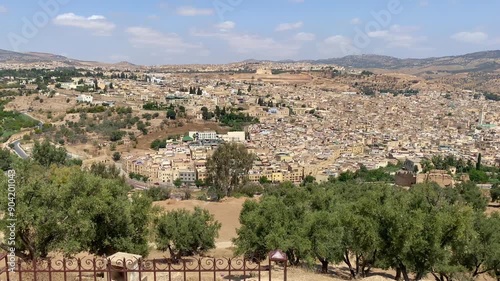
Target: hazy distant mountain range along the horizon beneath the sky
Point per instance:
(480, 61)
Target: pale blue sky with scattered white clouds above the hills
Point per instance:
(154, 32)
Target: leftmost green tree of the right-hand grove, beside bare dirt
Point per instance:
(276, 222)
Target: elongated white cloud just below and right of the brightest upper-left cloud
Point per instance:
(142, 37)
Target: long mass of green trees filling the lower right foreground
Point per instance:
(425, 230)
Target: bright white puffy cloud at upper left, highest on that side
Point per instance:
(96, 23)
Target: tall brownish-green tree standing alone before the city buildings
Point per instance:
(228, 167)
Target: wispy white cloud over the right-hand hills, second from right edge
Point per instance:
(398, 36)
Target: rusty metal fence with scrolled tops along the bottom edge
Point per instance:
(106, 269)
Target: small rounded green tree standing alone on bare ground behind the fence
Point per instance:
(183, 233)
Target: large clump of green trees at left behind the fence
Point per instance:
(67, 210)
